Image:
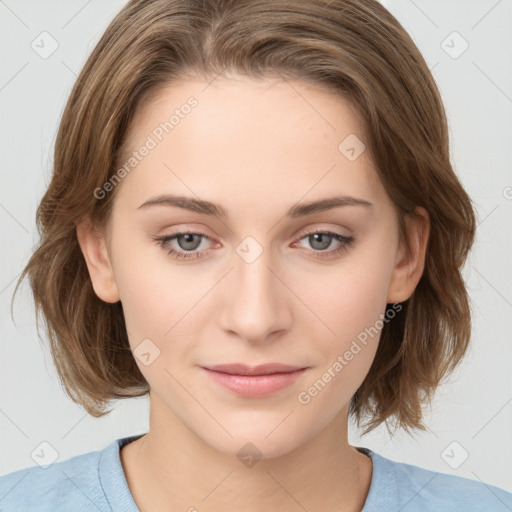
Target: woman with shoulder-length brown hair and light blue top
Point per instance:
(253, 218)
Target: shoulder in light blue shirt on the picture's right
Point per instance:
(416, 489)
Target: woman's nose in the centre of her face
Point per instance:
(255, 299)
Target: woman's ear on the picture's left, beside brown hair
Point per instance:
(94, 249)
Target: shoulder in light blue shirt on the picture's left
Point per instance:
(73, 481)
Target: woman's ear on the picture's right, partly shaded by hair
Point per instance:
(409, 265)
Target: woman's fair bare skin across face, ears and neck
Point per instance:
(256, 147)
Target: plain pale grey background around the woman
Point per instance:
(472, 411)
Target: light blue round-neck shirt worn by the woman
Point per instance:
(95, 482)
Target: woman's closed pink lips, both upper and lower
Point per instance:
(254, 381)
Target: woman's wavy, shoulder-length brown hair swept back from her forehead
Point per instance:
(355, 48)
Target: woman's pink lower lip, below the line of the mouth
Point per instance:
(253, 386)
